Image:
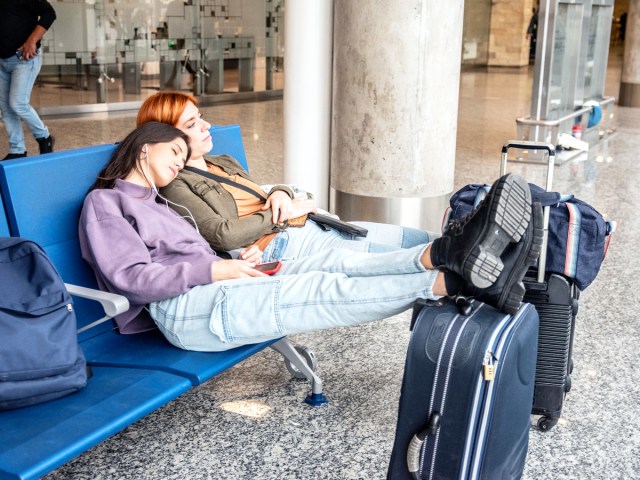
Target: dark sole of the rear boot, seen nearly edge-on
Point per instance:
(514, 288)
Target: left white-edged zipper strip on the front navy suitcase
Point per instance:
(431, 434)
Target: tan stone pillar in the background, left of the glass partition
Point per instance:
(508, 43)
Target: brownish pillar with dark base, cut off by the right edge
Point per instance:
(630, 82)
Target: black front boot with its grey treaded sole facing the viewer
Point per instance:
(473, 247)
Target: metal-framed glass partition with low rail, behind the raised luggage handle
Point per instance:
(570, 69)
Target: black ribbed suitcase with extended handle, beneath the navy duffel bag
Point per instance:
(556, 300)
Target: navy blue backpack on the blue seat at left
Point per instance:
(40, 358)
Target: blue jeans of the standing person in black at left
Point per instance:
(16, 81)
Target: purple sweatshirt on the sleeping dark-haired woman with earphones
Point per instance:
(141, 249)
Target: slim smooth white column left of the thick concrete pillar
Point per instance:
(307, 96)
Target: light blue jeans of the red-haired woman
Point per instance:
(299, 242)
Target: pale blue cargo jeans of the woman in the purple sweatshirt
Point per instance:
(334, 288)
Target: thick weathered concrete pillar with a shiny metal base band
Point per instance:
(395, 109)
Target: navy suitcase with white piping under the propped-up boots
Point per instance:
(466, 393)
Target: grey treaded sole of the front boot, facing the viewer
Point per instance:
(508, 218)
